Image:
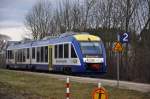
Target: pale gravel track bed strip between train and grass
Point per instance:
(142, 87)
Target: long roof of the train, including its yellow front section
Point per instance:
(66, 37)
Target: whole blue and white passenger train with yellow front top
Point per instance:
(68, 53)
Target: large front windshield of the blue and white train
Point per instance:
(91, 49)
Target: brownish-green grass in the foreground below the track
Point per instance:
(14, 85)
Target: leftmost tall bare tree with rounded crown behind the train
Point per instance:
(38, 20)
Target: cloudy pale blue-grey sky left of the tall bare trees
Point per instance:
(12, 16)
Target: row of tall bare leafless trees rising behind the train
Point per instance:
(80, 15)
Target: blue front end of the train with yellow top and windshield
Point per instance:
(93, 53)
